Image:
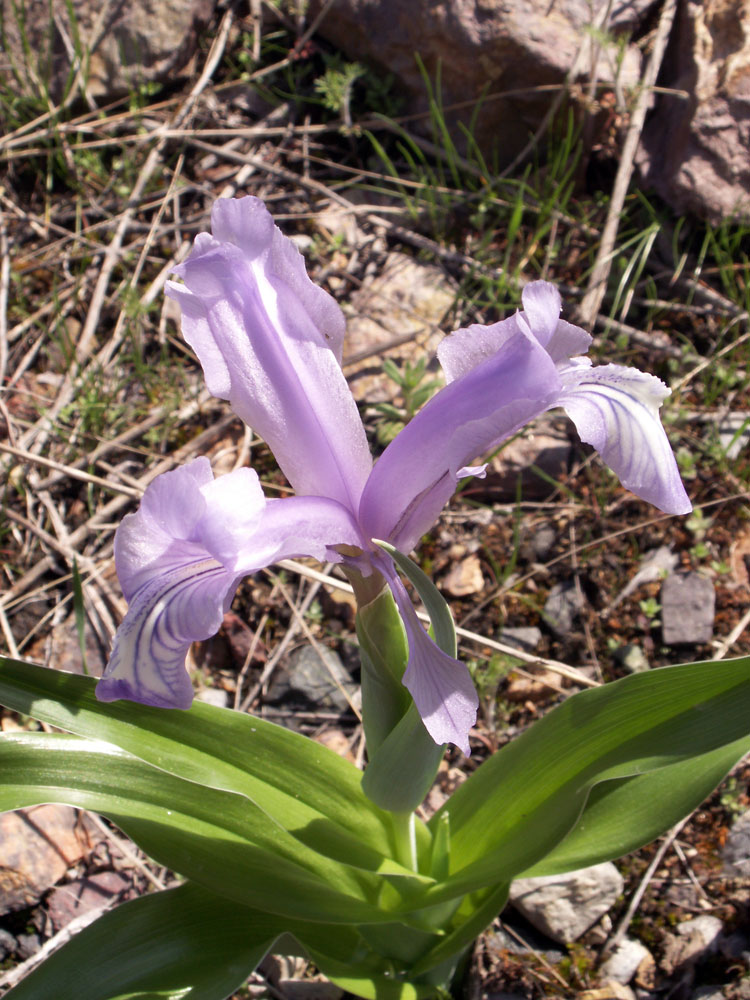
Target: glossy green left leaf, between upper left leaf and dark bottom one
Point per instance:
(220, 839)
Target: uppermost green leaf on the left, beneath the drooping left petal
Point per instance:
(306, 788)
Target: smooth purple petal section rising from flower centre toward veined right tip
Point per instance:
(417, 473)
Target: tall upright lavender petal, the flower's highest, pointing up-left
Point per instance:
(269, 341)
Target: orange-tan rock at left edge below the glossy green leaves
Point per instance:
(37, 846)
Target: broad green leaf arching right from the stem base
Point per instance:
(518, 807)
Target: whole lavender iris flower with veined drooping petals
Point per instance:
(270, 342)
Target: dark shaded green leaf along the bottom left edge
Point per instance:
(189, 944)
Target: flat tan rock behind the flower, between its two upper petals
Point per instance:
(400, 312)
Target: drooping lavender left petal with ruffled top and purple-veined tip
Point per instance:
(180, 558)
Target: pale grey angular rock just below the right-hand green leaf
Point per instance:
(565, 906)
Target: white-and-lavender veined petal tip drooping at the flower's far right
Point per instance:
(616, 409)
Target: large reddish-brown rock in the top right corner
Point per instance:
(694, 150)
